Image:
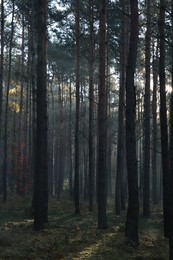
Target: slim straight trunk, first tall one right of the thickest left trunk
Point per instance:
(76, 176)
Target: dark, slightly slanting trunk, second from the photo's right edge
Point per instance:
(163, 120)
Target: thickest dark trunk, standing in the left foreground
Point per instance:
(41, 158)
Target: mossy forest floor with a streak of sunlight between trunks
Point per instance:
(67, 236)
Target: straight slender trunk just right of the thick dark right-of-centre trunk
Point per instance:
(146, 190)
